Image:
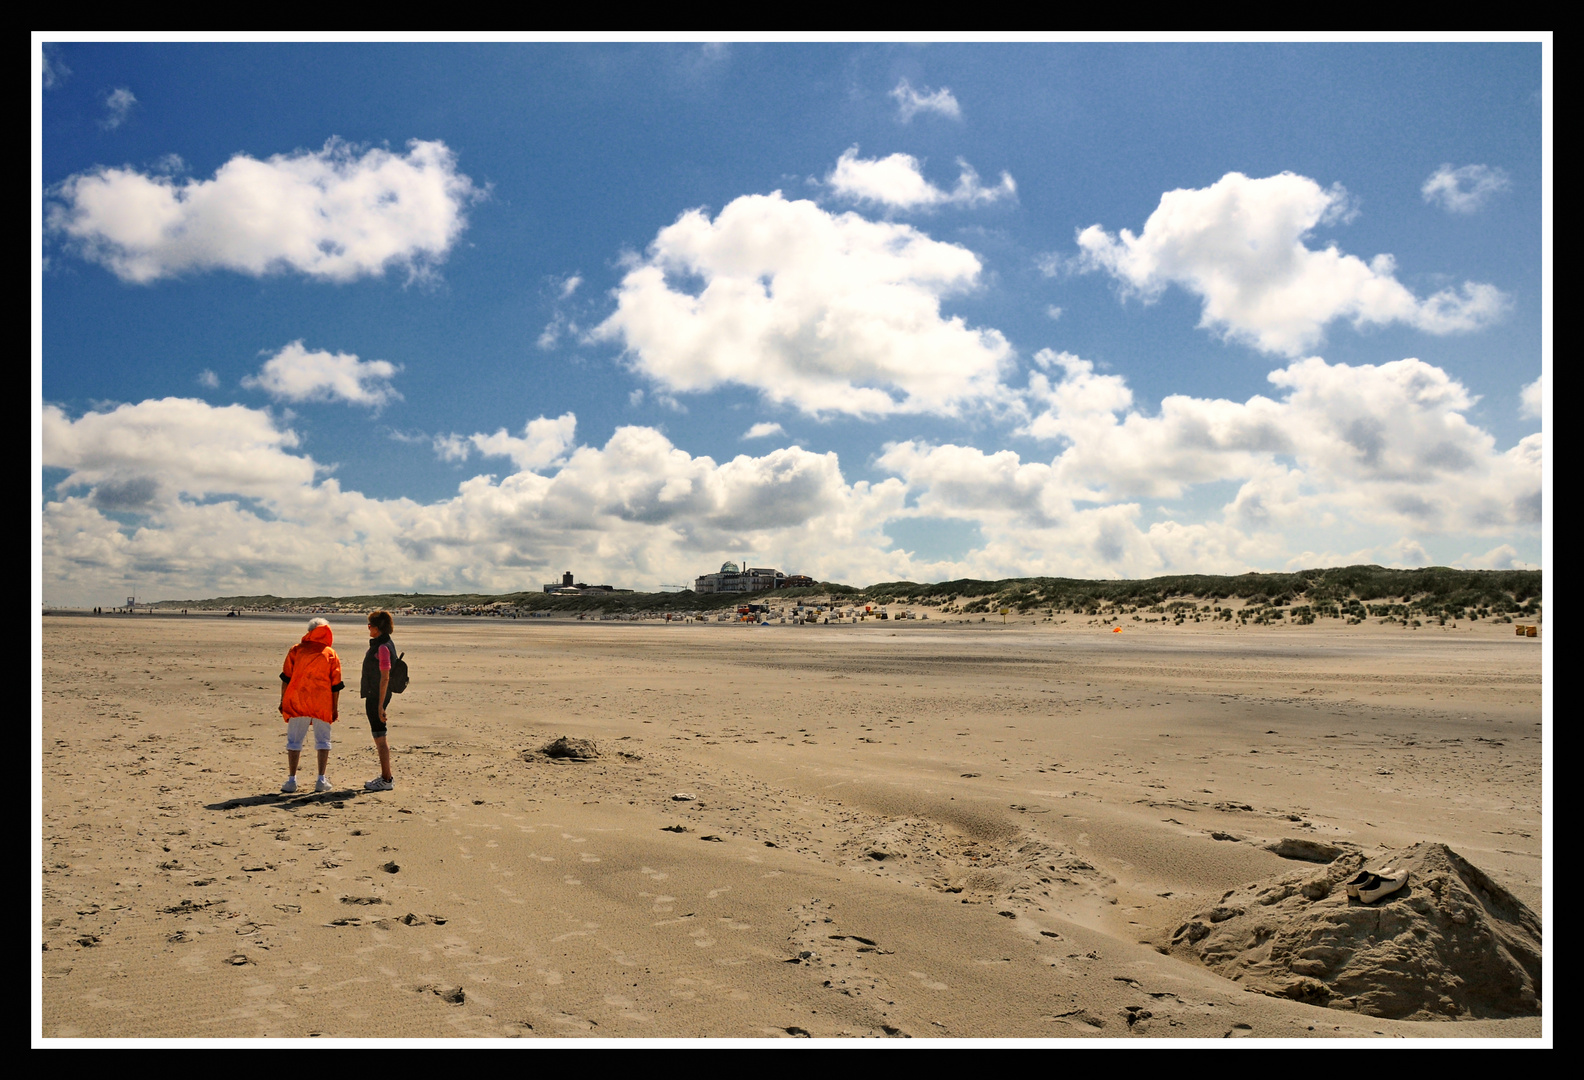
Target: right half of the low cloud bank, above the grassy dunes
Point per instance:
(1336, 452)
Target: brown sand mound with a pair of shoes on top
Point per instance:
(1452, 945)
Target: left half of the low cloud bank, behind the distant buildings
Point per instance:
(226, 504)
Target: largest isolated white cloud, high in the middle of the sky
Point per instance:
(832, 314)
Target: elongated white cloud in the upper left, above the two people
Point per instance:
(332, 215)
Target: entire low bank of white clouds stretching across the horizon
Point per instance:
(1371, 462)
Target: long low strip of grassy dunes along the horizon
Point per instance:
(1342, 593)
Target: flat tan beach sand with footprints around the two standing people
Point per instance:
(896, 829)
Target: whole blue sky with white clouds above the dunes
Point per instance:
(332, 319)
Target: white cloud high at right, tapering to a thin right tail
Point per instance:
(1241, 246)
